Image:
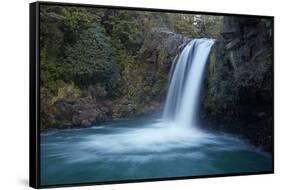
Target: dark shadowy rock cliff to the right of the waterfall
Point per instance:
(239, 88)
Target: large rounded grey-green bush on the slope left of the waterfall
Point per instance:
(91, 60)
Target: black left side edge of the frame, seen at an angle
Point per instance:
(33, 99)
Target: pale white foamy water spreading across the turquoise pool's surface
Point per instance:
(138, 142)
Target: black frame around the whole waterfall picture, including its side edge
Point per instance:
(34, 93)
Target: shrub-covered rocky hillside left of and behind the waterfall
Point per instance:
(93, 56)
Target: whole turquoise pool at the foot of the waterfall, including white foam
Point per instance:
(143, 149)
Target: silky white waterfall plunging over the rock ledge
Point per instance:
(185, 83)
